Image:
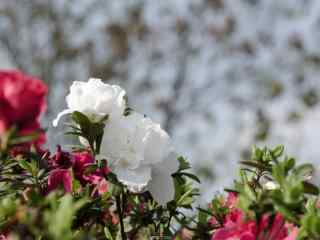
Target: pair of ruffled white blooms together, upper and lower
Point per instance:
(139, 150)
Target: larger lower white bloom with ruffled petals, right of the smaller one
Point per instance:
(141, 155)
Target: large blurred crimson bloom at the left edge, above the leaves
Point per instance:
(22, 100)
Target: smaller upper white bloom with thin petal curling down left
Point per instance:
(94, 99)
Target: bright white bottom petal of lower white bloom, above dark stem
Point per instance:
(136, 180)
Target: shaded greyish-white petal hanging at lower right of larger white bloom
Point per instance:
(161, 185)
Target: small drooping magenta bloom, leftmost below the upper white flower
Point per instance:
(60, 177)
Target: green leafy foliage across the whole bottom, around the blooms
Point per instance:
(269, 183)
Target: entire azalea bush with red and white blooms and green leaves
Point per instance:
(123, 178)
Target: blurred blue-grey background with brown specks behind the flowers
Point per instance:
(219, 75)
